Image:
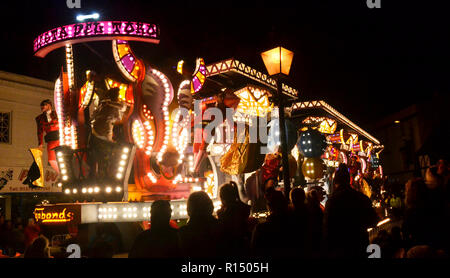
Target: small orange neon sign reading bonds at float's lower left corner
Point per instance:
(57, 214)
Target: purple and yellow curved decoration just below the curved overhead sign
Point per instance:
(130, 66)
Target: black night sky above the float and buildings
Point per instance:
(365, 62)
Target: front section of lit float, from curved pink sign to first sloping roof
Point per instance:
(149, 154)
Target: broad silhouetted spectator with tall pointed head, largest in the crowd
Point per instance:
(348, 215)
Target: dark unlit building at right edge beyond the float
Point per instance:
(414, 138)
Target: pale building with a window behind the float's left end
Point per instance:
(20, 98)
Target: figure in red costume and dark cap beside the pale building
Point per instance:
(47, 122)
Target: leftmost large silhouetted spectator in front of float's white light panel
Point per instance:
(161, 240)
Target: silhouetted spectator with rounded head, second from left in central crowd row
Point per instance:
(201, 236)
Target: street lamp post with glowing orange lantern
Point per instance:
(278, 63)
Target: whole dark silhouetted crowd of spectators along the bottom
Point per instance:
(296, 226)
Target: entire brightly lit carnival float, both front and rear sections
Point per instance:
(153, 153)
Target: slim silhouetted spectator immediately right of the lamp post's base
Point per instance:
(299, 220)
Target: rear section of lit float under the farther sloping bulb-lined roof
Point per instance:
(327, 138)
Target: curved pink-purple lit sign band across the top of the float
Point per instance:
(92, 31)
